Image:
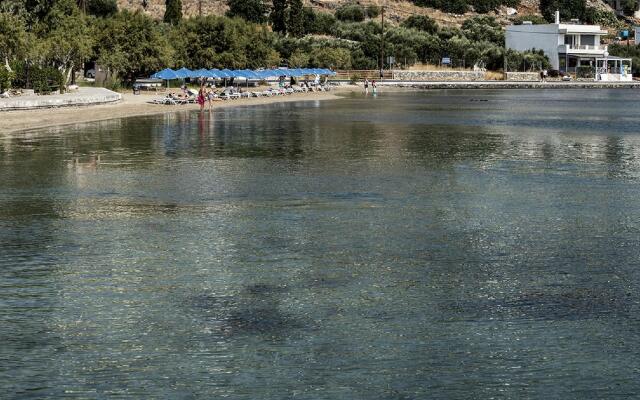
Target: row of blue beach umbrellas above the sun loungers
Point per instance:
(169, 74)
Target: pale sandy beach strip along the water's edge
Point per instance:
(131, 106)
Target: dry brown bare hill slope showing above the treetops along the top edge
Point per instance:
(397, 10)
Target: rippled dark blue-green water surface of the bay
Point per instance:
(456, 244)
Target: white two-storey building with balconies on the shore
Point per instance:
(570, 47)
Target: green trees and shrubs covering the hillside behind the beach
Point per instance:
(43, 41)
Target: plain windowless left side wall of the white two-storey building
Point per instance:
(541, 37)
